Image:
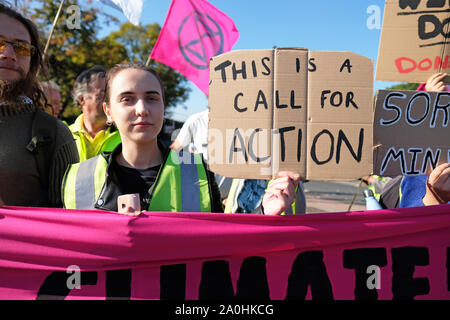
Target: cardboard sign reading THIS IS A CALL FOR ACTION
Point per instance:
(290, 109)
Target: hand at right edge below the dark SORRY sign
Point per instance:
(438, 186)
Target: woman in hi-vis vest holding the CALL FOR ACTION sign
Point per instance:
(164, 179)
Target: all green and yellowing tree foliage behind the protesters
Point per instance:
(73, 50)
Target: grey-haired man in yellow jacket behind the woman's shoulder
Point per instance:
(92, 133)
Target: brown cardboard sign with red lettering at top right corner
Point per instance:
(414, 41)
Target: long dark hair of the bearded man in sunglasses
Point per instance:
(31, 85)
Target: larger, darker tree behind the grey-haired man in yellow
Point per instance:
(74, 46)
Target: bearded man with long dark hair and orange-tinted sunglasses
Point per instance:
(35, 148)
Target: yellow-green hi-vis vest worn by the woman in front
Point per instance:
(181, 185)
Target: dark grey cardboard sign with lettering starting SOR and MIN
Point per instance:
(411, 132)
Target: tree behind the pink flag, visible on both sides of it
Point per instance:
(139, 42)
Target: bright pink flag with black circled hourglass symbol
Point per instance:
(194, 31)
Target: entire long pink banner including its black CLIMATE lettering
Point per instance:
(77, 254)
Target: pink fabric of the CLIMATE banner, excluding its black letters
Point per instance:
(36, 242)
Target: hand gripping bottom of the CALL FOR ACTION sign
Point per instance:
(280, 193)
